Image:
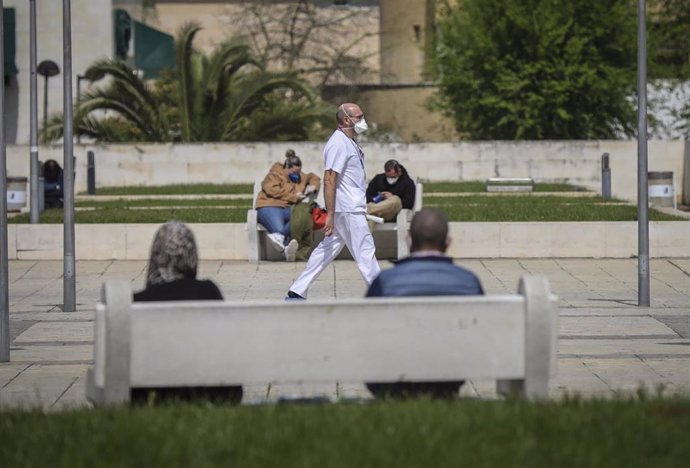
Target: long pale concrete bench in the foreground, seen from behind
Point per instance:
(510, 338)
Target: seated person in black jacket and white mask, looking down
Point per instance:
(390, 192)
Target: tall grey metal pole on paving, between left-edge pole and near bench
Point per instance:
(69, 286)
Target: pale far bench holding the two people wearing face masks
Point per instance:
(258, 245)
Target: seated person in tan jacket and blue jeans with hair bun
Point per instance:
(284, 186)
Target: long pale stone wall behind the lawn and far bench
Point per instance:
(576, 162)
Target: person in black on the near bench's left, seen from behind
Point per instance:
(171, 276)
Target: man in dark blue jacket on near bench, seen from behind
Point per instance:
(426, 272)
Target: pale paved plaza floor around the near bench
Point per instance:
(607, 344)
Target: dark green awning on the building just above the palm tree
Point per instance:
(152, 50)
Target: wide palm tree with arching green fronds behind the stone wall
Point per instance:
(227, 96)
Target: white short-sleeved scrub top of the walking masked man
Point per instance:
(344, 156)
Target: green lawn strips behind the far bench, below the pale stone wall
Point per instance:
(470, 204)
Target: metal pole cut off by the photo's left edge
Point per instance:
(4, 270)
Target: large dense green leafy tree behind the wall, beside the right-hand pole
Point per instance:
(538, 69)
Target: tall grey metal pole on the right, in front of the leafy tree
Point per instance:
(642, 193)
